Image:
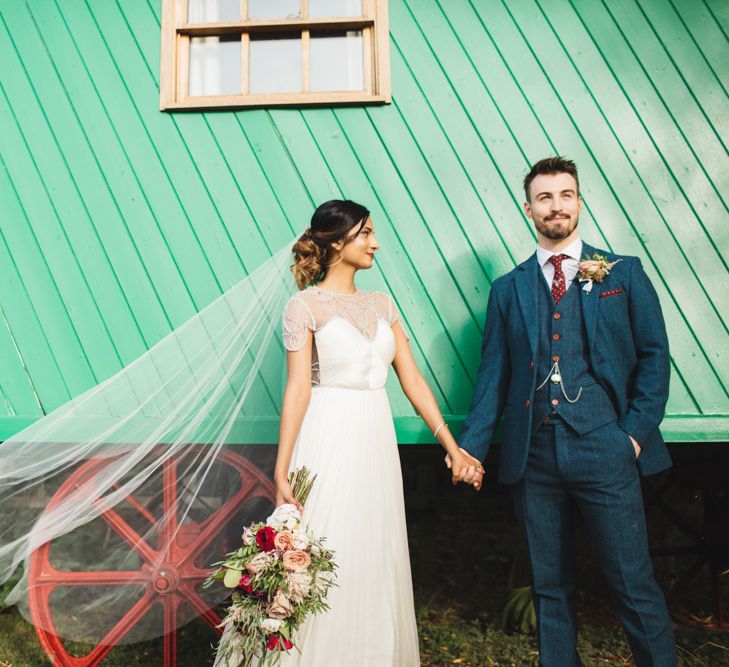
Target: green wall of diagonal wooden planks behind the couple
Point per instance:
(118, 222)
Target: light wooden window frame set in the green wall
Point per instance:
(175, 57)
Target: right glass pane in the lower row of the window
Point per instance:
(337, 60)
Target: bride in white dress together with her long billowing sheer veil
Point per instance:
(131, 482)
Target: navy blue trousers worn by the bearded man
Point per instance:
(597, 473)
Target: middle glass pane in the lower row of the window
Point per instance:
(275, 63)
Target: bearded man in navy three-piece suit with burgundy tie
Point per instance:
(580, 370)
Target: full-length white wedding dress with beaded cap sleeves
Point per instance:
(348, 439)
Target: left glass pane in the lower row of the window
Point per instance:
(215, 65)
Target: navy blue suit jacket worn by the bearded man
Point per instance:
(628, 354)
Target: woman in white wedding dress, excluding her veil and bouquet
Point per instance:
(336, 420)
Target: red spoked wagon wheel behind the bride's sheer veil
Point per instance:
(168, 578)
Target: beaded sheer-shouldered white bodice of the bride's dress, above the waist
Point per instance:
(353, 340)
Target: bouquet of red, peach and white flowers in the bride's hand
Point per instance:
(279, 576)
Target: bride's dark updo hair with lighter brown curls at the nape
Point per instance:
(334, 221)
